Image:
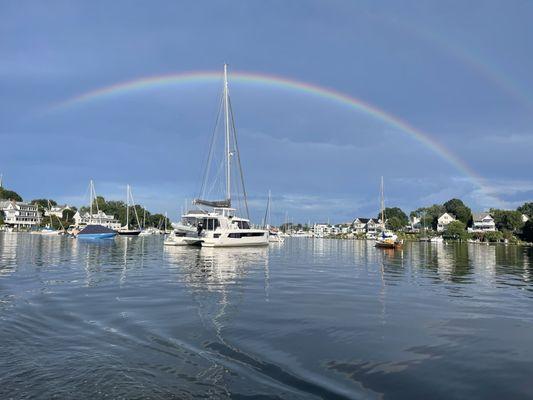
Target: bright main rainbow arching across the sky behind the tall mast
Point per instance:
(283, 83)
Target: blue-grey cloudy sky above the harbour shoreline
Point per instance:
(436, 97)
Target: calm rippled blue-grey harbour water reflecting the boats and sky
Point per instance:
(308, 319)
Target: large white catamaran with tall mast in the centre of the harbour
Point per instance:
(216, 221)
